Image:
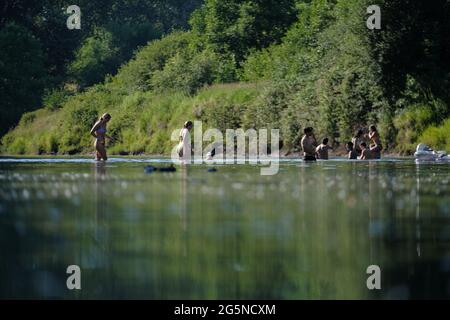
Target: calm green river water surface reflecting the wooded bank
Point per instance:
(309, 232)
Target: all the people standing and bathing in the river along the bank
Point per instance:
(357, 148)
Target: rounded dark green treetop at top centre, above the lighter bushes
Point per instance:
(236, 26)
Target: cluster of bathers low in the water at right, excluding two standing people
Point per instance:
(357, 148)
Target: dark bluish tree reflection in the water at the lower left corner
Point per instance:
(28, 269)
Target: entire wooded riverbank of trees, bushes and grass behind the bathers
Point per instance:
(281, 64)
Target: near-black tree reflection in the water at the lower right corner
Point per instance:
(413, 249)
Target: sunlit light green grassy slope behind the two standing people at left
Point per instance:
(142, 122)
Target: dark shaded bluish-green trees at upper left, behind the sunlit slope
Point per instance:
(74, 59)
